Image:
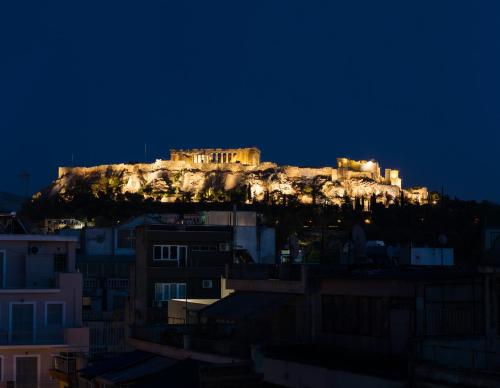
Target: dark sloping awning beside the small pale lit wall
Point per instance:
(245, 304)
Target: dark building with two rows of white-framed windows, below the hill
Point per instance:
(176, 262)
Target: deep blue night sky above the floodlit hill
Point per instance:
(415, 85)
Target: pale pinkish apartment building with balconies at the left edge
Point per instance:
(40, 309)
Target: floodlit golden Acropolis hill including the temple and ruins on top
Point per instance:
(211, 173)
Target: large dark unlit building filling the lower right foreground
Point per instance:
(382, 327)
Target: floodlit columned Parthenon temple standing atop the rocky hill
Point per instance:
(246, 156)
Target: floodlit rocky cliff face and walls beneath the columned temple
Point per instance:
(169, 181)
